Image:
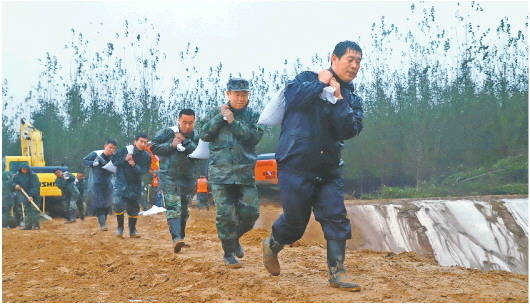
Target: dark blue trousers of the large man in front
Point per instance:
(301, 194)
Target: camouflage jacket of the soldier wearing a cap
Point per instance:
(232, 146)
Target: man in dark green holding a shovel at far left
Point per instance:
(27, 181)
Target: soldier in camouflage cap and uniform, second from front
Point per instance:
(233, 134)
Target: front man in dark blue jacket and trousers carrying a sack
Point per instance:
(309, 159)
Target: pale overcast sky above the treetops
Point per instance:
(241, 34)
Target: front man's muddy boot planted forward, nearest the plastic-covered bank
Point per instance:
(338, 277)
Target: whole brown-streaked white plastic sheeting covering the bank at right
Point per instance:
(464, 233)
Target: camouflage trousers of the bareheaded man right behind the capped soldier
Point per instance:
(177, 199)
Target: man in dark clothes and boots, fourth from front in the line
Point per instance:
(132, 163)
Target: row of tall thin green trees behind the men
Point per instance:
(436, 101)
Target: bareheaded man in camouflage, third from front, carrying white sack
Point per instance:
(177, 175)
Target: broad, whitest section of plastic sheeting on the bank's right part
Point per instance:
(470, 234)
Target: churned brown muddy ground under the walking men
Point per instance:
(77, 263)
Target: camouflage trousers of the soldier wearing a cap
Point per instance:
(237, 209)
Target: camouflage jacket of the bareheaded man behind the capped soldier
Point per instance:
(174, 164)
